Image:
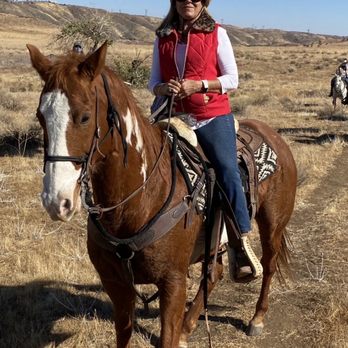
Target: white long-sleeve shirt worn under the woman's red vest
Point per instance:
(225, 56)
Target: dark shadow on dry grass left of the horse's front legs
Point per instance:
(32, 309)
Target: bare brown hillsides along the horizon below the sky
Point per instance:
(141, 28)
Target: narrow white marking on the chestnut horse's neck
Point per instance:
(132, 127)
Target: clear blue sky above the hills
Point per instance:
(314, 16)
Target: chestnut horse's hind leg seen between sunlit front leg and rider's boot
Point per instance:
(192, 315)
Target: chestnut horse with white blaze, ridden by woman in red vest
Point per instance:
(131, 177)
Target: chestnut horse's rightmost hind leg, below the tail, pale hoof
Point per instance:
(271, 234)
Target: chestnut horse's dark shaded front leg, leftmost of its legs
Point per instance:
(123, 299)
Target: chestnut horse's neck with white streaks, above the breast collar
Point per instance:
(122, 173)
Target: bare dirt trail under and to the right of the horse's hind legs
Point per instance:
(291, 320)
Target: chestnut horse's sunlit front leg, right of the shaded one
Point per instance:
(172, 306)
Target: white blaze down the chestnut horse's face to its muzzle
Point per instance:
(60, 180)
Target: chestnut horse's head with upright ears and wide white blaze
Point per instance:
(67, 115)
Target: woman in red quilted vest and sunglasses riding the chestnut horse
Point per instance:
(193, 59)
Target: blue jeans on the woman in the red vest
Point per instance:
(218, 141)
